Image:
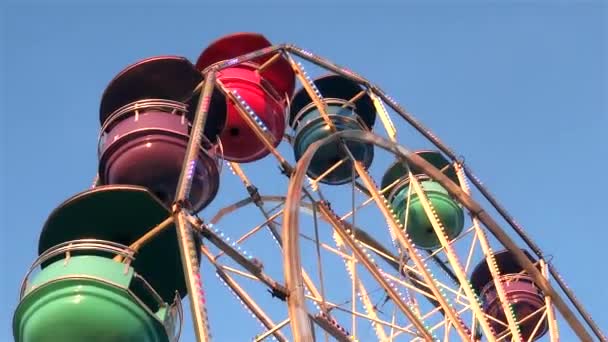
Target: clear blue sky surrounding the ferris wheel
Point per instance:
(518, 87)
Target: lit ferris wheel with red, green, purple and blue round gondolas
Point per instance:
(350, 230)
